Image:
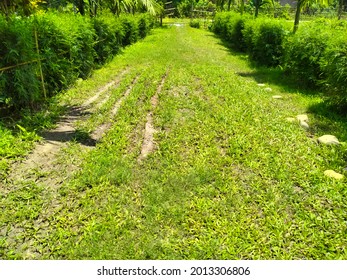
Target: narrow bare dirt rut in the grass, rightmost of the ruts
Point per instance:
(148, 144)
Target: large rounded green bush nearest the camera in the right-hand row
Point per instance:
(317, 55)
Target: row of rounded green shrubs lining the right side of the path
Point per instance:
(316, 55)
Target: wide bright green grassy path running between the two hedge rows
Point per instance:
(193, 160)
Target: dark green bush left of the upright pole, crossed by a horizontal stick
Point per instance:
(19, 86)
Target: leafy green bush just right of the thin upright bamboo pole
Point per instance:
(66, 47)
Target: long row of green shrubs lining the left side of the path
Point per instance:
(70, 47)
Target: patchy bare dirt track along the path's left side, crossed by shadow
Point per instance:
(45, 159)
